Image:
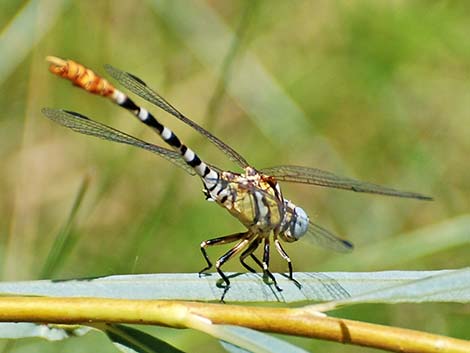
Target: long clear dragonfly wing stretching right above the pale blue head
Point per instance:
(320, 177)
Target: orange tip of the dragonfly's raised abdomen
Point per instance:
(80, 76)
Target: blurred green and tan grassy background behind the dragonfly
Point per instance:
(376, 91)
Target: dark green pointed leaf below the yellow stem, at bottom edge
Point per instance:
(131, 340)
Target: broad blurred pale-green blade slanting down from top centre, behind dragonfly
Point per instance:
(203, 30)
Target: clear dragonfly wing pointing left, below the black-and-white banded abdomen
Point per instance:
(87, 126)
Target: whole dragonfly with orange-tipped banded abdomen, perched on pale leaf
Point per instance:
(253, 196)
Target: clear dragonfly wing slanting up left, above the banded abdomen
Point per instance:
(140, 88)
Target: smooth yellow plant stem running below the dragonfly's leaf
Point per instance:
(177, 314)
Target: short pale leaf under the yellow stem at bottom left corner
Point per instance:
(49, 332)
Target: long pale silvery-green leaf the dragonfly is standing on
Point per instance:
(337, 286)
